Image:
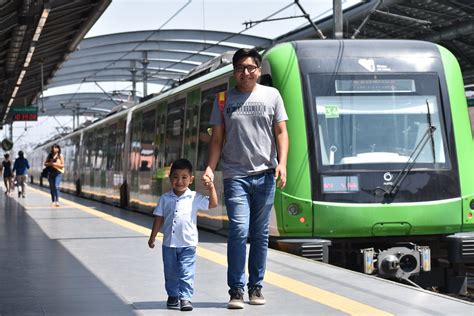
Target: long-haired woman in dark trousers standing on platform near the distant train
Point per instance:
(55, 164)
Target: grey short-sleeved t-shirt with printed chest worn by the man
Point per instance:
(249, 118)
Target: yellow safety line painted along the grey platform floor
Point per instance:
(299, 288)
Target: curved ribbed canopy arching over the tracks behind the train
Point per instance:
(159, 57)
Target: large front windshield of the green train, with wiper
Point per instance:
(367, 120)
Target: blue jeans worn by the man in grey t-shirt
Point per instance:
(249, 202)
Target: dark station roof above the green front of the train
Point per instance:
(449, 23)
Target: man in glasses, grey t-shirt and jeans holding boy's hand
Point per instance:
(252, 121)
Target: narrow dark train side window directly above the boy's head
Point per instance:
(174, 131)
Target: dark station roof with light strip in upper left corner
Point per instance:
(35, 37)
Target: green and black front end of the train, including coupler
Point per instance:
(379, 171)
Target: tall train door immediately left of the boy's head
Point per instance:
(145, 172)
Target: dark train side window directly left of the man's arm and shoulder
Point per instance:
(207, 101)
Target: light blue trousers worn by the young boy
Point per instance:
(179, 266)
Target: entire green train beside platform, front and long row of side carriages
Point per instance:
(380, 167)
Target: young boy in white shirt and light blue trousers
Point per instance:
(177, 212)
